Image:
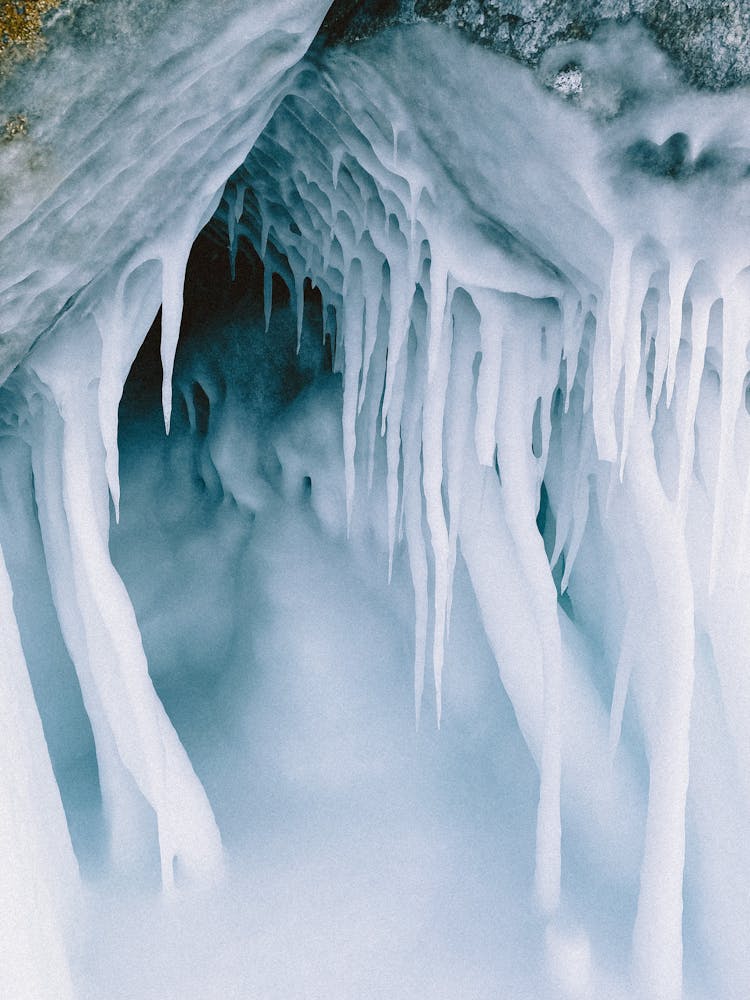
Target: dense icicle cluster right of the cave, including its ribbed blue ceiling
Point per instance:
(492, 377)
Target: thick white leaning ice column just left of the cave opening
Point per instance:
(138, 751)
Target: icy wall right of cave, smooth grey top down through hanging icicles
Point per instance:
(539, 298)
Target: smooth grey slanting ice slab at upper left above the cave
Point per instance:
(130, 142)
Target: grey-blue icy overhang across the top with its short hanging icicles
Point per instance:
(511, 188)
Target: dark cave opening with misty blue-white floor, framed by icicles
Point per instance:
(284, 657)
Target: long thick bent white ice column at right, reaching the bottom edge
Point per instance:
(657, 935)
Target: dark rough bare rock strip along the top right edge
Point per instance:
(709, 40)
